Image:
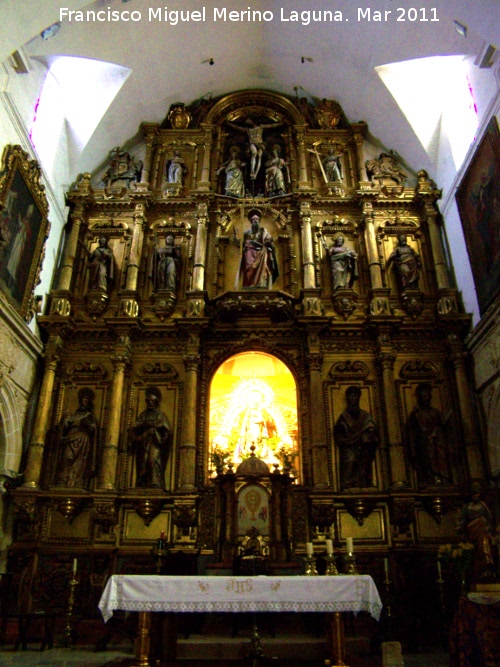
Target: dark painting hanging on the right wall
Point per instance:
(478, 200)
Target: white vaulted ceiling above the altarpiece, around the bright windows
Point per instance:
(168, 63)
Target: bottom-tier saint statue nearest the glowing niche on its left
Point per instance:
(152, 442)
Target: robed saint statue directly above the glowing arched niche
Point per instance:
(258, 264)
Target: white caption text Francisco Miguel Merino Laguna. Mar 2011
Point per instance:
(249, 15)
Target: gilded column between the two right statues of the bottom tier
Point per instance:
(385, 361)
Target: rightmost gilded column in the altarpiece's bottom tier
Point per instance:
(474, 458)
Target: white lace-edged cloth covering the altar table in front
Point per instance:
(240, 594)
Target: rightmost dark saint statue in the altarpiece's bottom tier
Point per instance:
(426, 430)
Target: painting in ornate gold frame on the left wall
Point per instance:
(24, 227)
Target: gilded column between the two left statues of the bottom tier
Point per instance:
(107, 480)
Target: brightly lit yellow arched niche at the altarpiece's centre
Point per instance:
(253, 402)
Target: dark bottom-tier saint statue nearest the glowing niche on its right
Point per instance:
(356, 436)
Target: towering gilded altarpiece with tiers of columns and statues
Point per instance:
(258, 227)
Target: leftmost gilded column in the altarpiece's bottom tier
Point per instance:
(37, 444)
